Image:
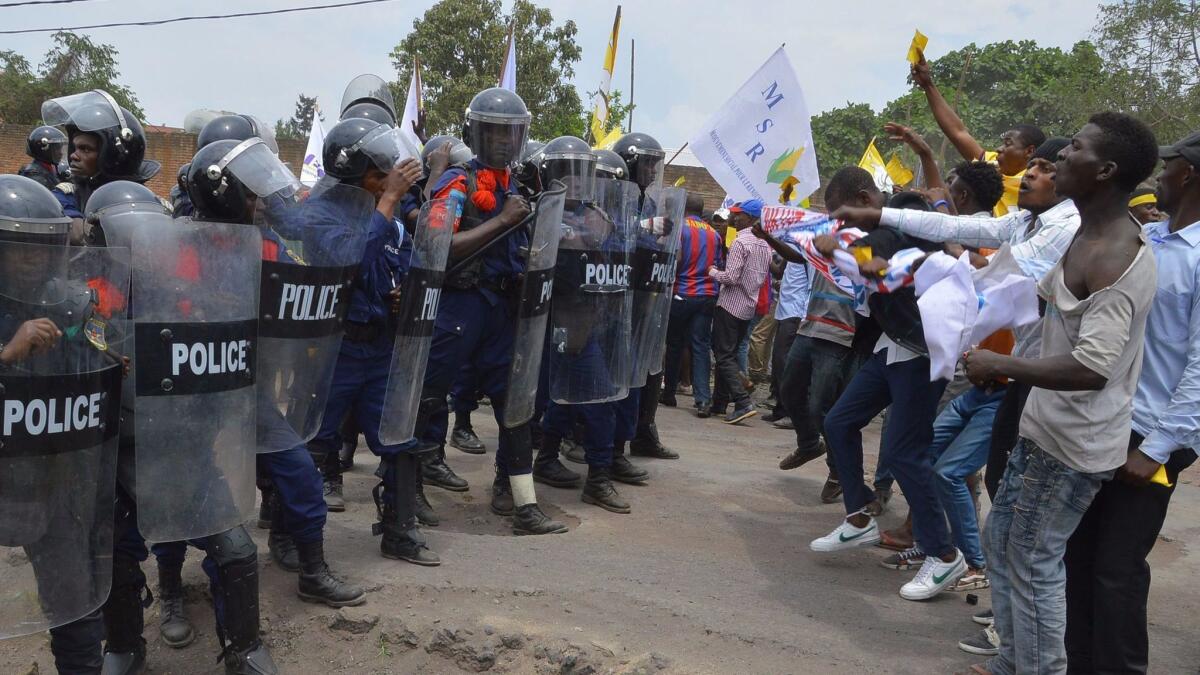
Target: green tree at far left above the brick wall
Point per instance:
(73, 64)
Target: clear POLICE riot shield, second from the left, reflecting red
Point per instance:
(196, 327)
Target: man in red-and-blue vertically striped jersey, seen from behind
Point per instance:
(692, 309)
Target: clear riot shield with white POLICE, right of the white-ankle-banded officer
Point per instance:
(590, 355)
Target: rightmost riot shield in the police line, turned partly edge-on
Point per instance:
(652, 278)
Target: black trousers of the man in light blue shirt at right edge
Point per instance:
(1108, 577)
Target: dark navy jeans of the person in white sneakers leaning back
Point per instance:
(905, 449)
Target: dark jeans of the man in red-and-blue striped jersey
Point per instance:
(691, 324)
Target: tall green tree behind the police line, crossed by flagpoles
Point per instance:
(461, 45)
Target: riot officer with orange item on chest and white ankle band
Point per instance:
(477, 322)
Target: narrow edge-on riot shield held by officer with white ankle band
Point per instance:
(533, 308)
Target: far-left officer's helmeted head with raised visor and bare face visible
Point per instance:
(105, 144)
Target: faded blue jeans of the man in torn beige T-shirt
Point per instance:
(1037, 509)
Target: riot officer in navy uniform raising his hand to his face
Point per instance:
(364, 153)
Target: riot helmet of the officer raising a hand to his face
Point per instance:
(357, 145)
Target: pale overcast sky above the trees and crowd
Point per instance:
(692, 55)
